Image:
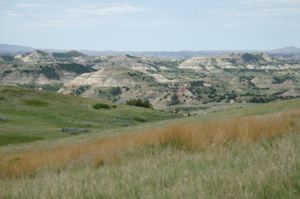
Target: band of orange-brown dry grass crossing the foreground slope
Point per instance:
(217, 133)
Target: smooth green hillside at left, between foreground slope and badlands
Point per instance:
(35, 115)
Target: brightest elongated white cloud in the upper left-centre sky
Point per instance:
(109, 11)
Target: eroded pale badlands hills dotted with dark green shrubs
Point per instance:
(196, 85)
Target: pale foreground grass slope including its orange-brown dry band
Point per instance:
(243, 153)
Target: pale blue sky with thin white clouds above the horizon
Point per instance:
(151, 25)
